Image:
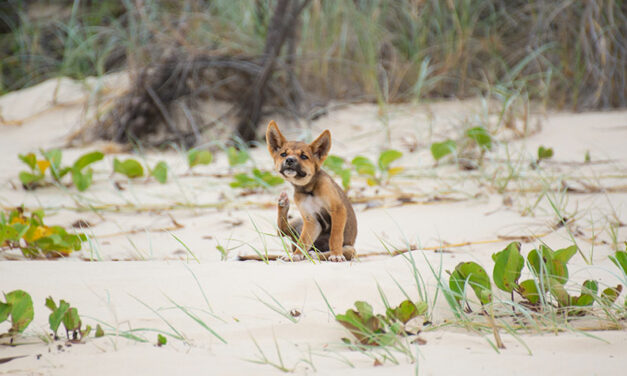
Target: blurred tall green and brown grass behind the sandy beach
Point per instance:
(567, 54)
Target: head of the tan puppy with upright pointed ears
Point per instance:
(297, 161)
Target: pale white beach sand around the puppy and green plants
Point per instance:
(155, 266)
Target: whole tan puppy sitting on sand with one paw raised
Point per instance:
(328, 220)
